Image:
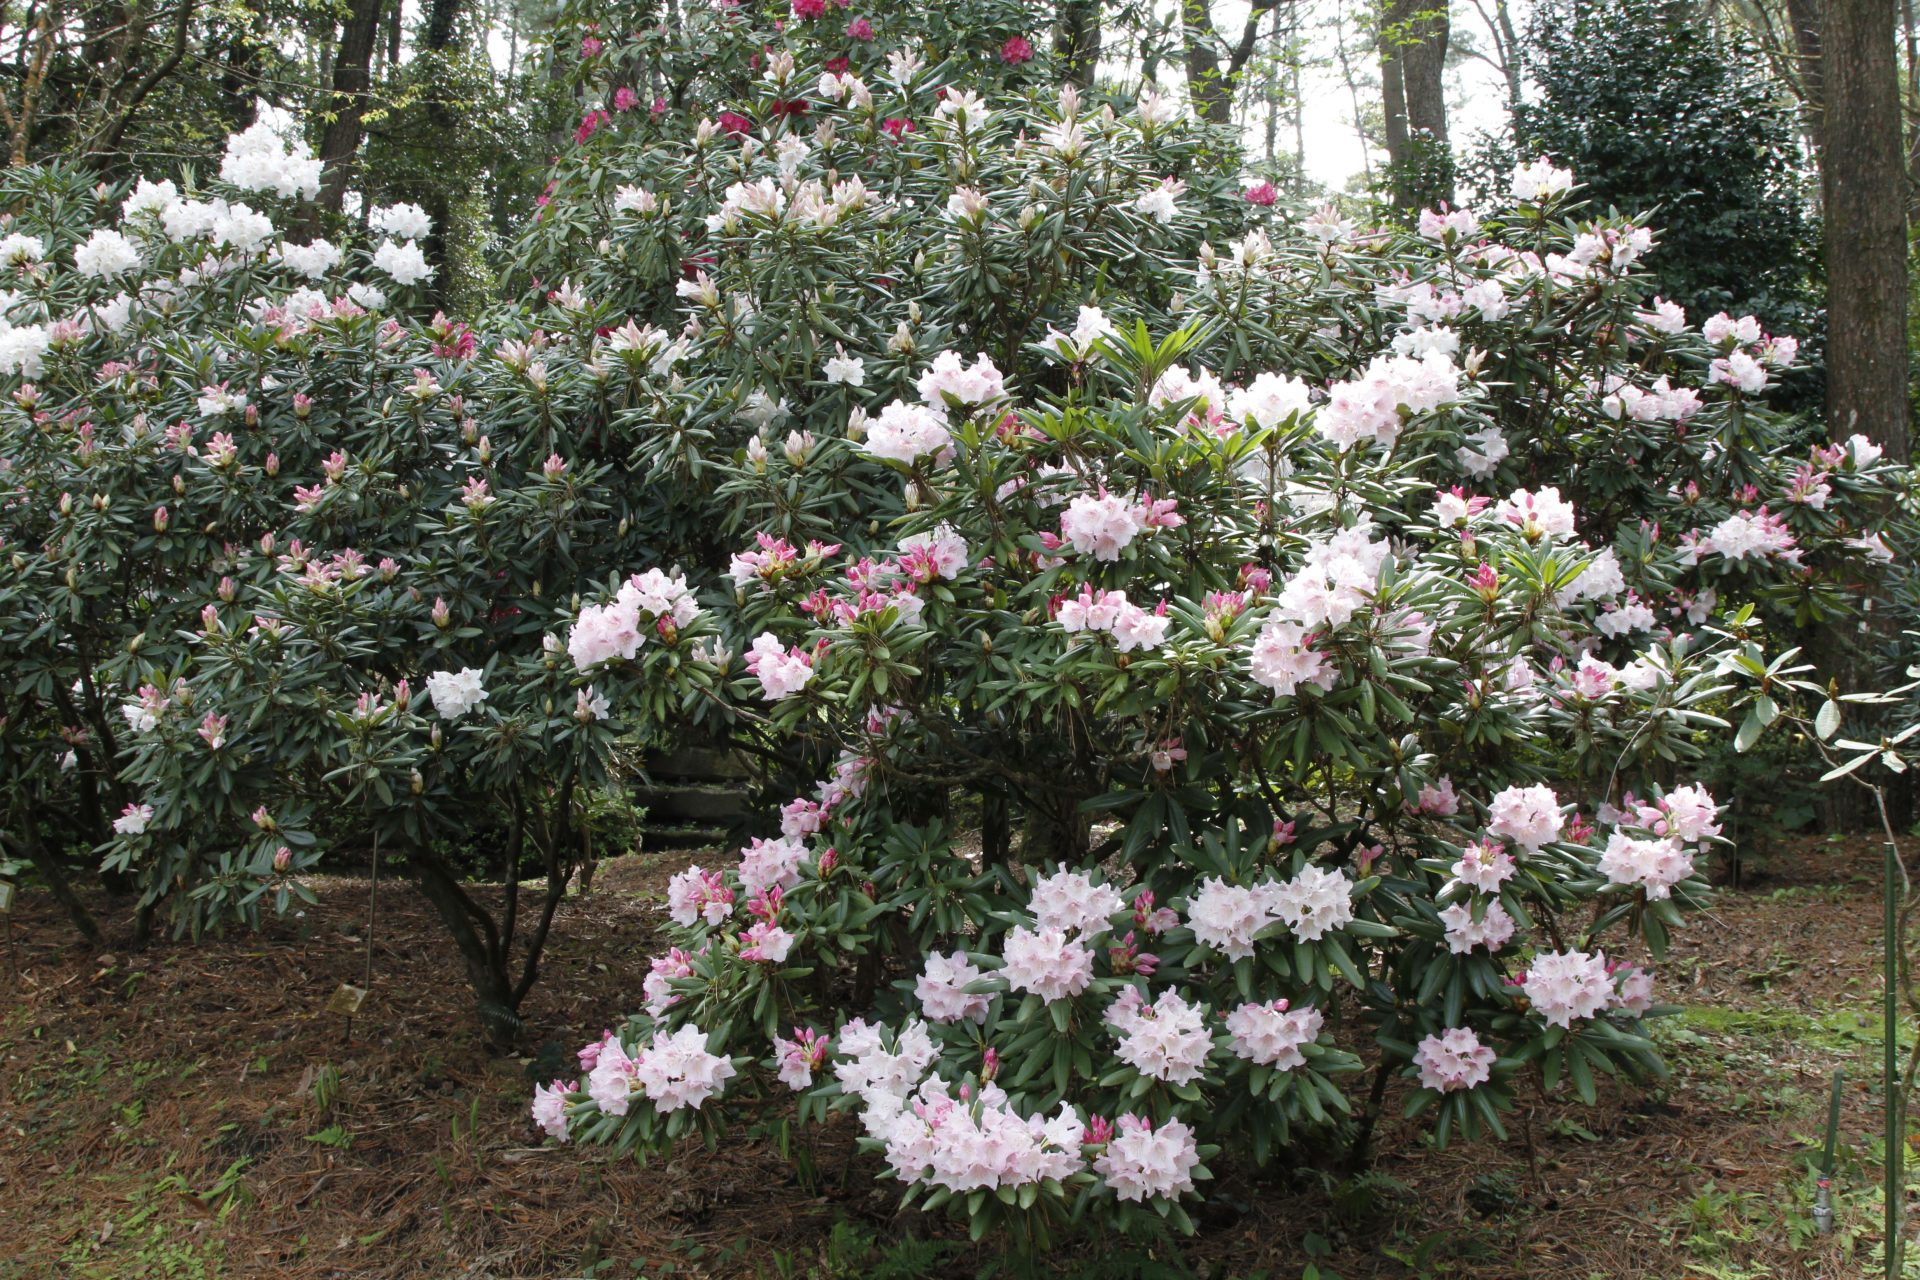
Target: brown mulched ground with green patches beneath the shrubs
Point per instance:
(160, 1118)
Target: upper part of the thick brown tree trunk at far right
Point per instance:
(1863, 189)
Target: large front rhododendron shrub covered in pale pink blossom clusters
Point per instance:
(1337, 736)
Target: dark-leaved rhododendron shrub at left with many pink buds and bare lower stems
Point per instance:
(293, 573)
